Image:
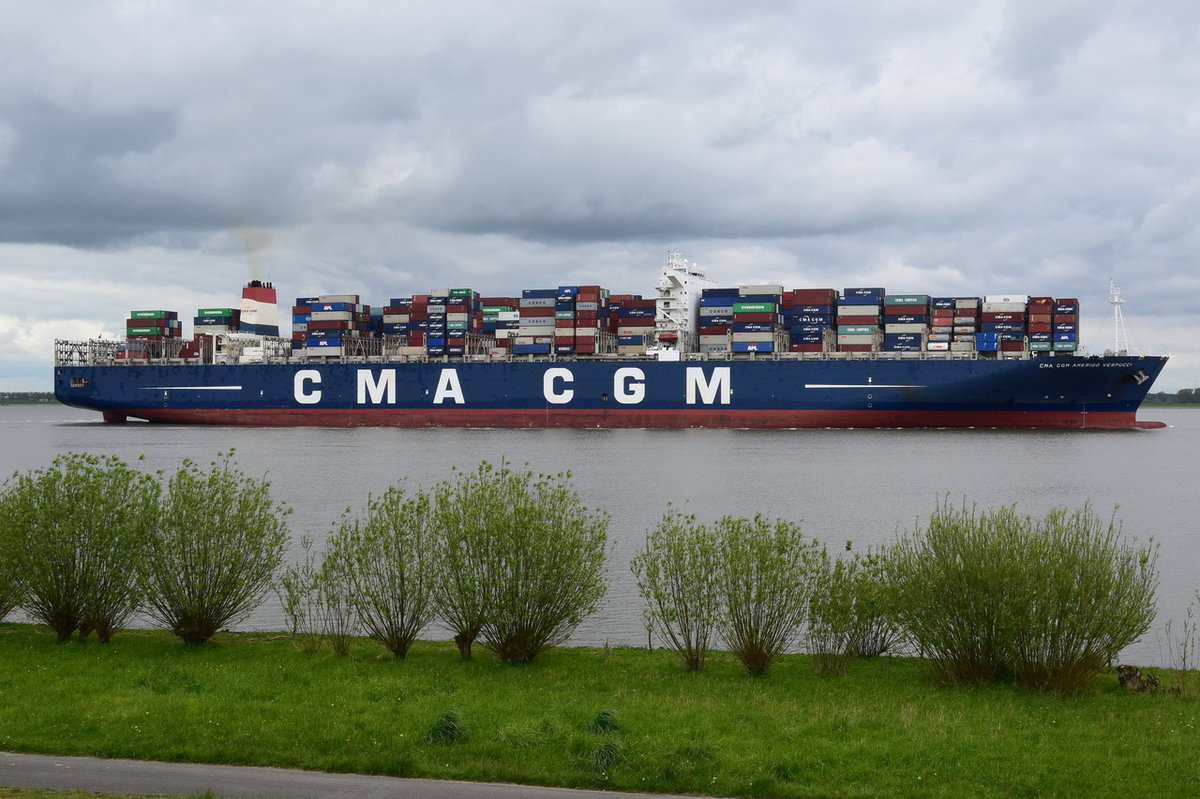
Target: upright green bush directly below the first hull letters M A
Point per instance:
(387, 562)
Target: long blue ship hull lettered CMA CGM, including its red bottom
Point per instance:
(1063, 392)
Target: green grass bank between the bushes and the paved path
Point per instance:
(883, 731)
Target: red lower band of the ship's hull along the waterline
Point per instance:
(637, 419)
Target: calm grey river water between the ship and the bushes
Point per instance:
(860, 486)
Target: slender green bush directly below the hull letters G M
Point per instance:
(676, 574)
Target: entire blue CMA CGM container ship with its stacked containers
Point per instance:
(698, 355)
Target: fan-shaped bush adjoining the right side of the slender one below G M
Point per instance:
(770, 570)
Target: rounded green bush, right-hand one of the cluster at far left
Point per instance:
(217, 550)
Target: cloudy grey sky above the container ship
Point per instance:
(159, 155)
